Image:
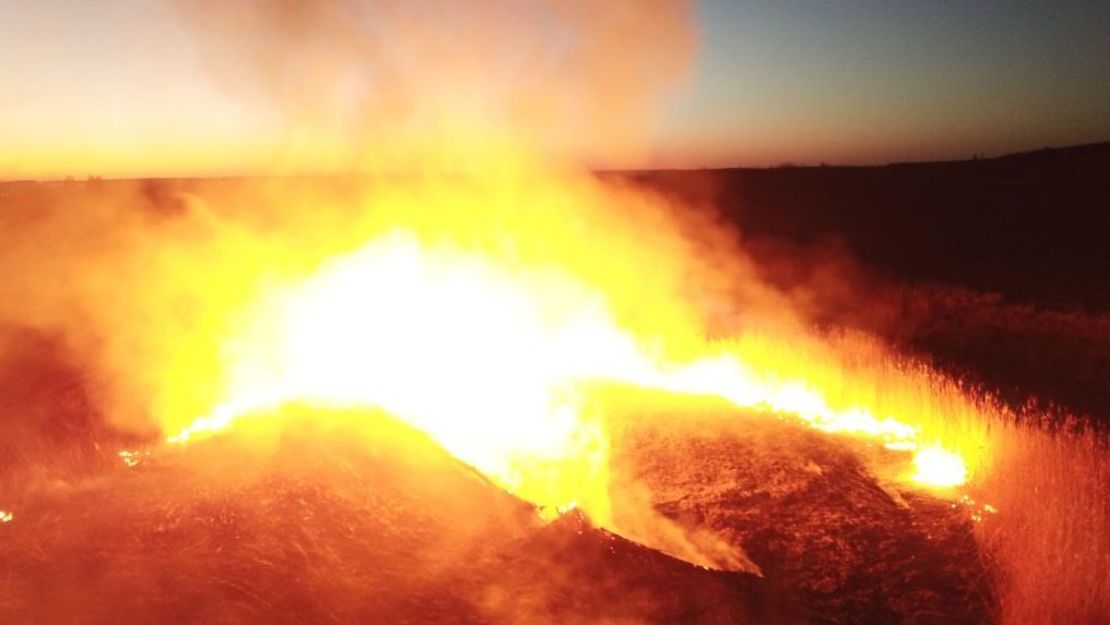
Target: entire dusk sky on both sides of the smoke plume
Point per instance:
(120, 88)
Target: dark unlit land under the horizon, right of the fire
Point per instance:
(1033, 227)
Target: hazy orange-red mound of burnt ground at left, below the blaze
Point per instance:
(381, 528)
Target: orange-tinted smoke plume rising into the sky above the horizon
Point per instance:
(399, 83)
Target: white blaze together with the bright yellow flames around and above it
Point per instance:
(483, 311)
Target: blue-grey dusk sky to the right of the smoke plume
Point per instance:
(871, 82)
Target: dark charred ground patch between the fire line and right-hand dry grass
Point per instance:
(813, 518)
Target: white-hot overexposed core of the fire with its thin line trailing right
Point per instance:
(492, 365)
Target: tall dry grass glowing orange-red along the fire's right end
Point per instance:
(1047, 475)
